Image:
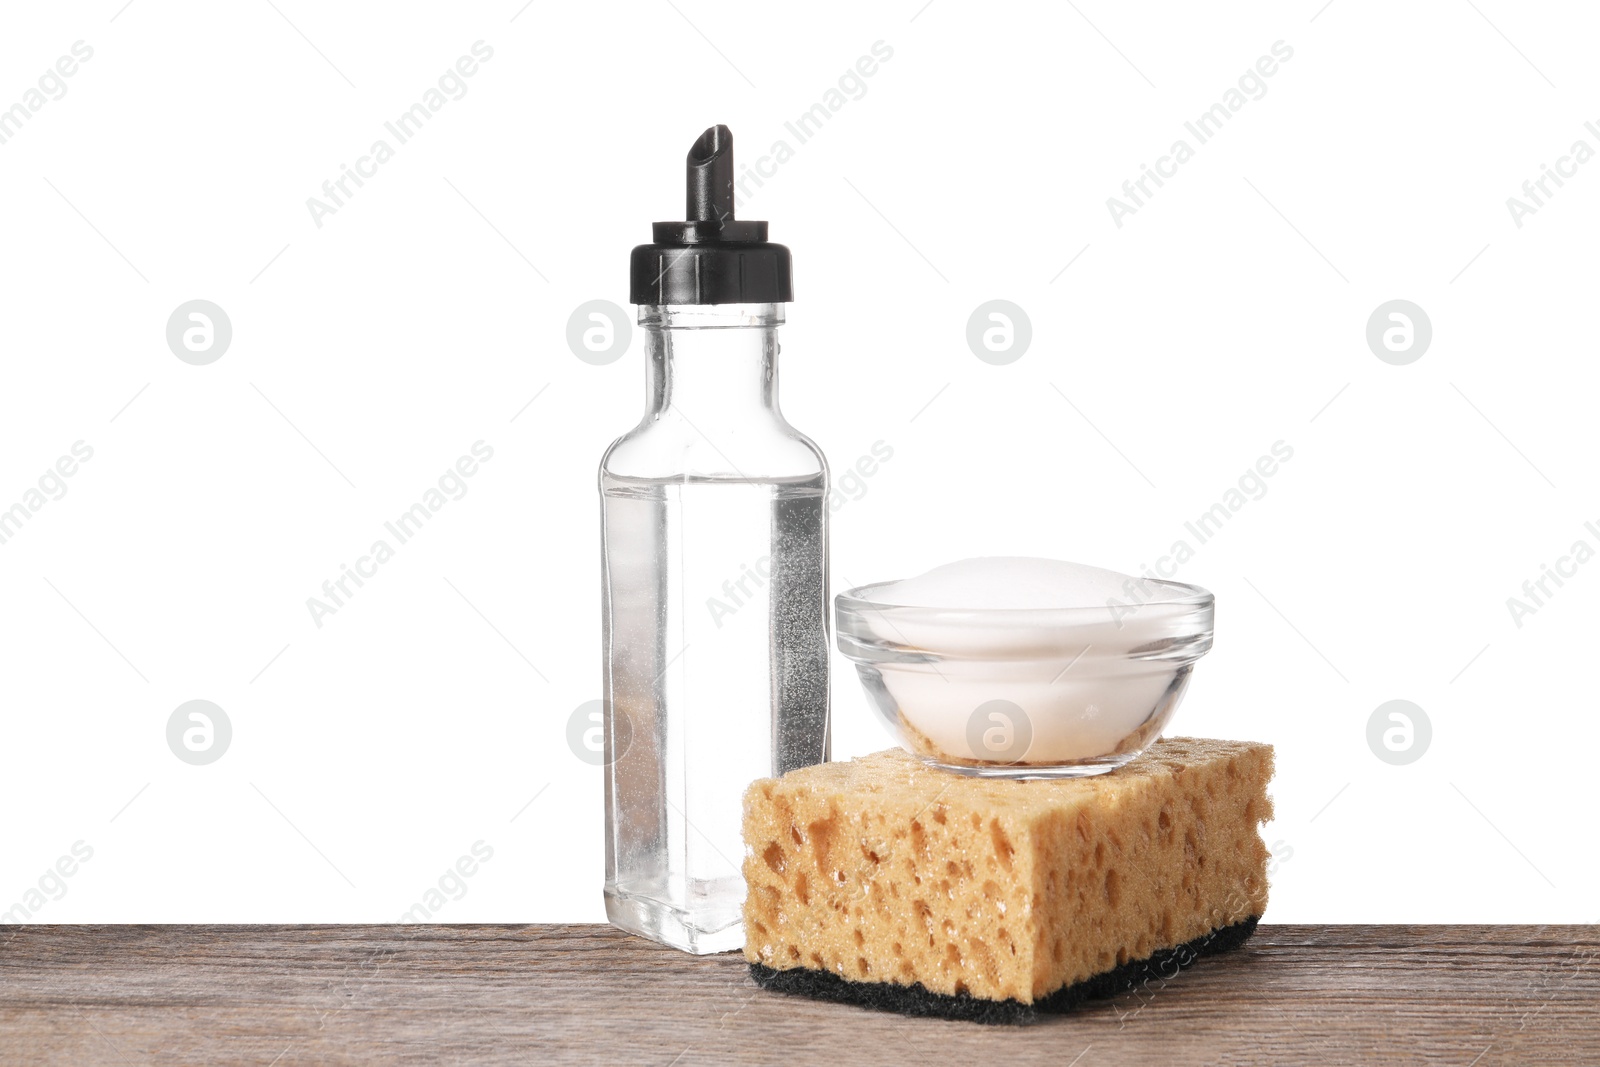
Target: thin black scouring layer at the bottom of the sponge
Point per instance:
(916, 1001)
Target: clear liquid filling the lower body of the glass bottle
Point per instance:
(719, 660)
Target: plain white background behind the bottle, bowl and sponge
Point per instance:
(369, 354)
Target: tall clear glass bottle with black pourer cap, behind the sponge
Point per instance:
(714, 575)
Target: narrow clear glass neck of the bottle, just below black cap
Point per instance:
(711, 362)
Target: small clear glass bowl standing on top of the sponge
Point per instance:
(1028, 692)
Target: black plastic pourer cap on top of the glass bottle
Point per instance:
(711, 258)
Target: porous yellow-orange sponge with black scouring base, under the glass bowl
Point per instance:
(895, 885)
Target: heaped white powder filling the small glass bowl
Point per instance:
(1079, 671)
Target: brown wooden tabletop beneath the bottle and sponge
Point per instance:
(1470, 996)
